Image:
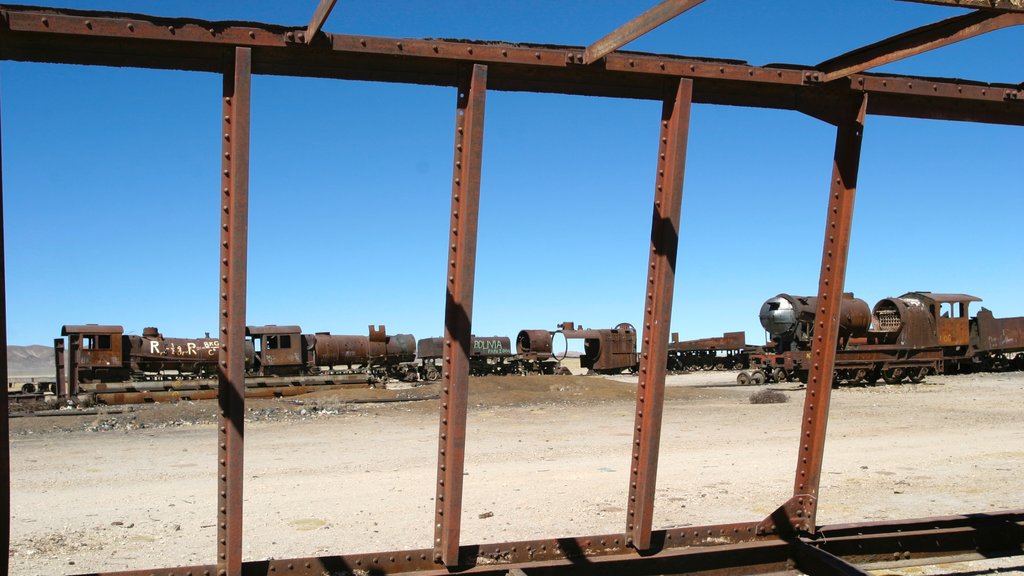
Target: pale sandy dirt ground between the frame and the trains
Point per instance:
(546, 457)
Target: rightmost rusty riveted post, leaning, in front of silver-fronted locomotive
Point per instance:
(839, 222)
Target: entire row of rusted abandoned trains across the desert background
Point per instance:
(907, 338)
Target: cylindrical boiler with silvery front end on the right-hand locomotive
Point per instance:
(790, 320)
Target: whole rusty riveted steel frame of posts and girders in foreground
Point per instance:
(787, 540)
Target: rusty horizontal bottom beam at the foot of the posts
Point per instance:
(713, 550)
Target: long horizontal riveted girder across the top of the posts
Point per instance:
(117, 39)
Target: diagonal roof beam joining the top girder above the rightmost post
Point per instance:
(917, 42)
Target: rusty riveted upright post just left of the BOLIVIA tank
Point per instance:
(461, 272)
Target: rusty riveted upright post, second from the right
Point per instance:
(658, 312)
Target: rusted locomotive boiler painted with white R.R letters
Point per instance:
(153, 353)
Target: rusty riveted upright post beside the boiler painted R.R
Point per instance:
(232, 369)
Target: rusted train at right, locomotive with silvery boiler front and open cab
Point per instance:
(902, 339)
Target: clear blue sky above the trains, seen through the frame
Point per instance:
(112, 179)
